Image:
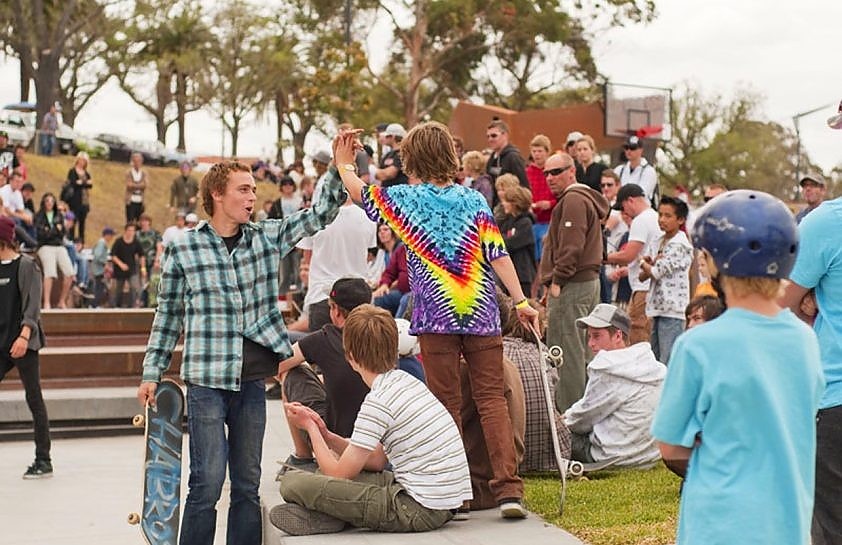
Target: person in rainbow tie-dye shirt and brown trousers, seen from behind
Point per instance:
(454, 249)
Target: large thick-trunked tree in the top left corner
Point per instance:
(44, 36)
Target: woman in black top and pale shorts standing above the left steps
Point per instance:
(50, 229)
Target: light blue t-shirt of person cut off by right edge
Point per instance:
(819, 266)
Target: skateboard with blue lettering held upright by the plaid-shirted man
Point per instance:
(163, 435)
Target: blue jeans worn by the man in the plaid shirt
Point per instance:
(209, 411)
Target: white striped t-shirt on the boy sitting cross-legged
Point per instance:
(419, 437)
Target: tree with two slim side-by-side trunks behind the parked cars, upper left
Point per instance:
(159, 61)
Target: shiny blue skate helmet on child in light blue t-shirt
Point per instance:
(748, 233)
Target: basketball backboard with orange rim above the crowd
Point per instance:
(637, 110)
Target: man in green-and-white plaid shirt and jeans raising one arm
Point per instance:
(219, 286)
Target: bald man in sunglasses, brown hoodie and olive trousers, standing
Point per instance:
(570, 268)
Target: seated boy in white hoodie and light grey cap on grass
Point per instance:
(611, 422)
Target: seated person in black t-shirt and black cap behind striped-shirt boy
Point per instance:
(338, 400)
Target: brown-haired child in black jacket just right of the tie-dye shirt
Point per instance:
(516, 228)
